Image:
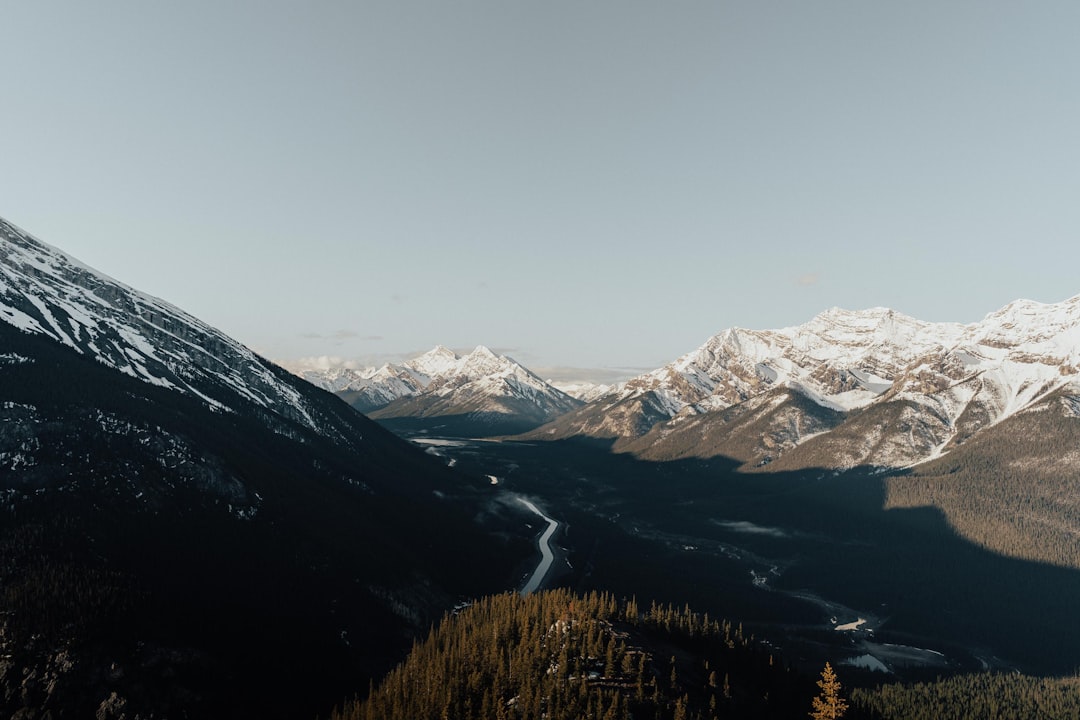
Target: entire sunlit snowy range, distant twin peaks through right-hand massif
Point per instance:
(848, 388)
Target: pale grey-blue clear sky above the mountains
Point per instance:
(593, 188)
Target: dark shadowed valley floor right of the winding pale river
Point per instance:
(812, 562)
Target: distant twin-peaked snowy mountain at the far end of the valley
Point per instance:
(480, 392)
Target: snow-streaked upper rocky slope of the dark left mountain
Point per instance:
(47, 292)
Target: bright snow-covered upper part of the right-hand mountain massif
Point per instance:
(848, 360)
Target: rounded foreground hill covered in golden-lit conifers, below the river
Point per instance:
(564, 657)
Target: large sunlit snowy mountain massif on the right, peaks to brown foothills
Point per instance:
(848, 388)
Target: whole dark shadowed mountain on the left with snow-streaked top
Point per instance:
(163, 493)
